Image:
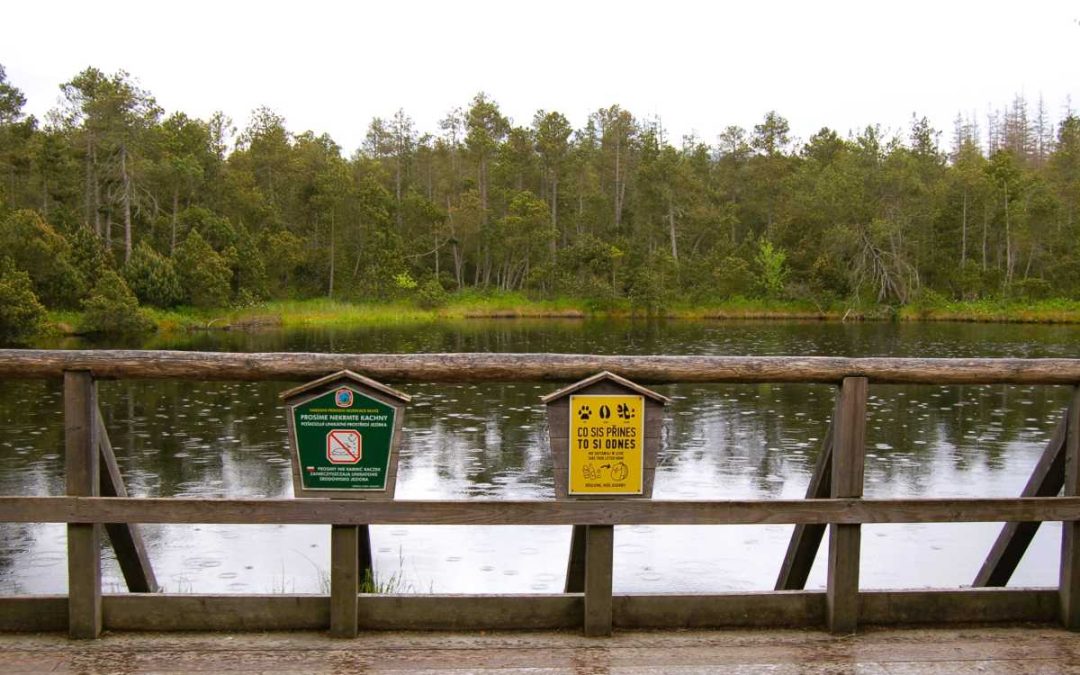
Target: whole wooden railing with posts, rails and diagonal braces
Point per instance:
(834, 501)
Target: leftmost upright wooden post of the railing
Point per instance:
(82, 465)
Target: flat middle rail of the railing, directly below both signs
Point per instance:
(616, 512)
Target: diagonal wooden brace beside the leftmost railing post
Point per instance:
(126, 537)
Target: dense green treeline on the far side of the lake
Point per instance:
(614, 212)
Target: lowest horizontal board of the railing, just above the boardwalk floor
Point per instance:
(136, 612)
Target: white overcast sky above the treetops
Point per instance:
(700, 66)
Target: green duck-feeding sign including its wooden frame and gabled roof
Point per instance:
(344, 433)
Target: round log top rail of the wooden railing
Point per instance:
(479, 368)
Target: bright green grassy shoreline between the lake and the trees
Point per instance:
(322, 313)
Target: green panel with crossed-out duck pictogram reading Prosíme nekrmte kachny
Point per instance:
(343, 440)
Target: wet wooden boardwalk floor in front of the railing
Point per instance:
(894, 652)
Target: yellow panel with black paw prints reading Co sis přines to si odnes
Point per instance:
(607, 445)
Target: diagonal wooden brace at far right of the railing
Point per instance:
(1012, 543)
